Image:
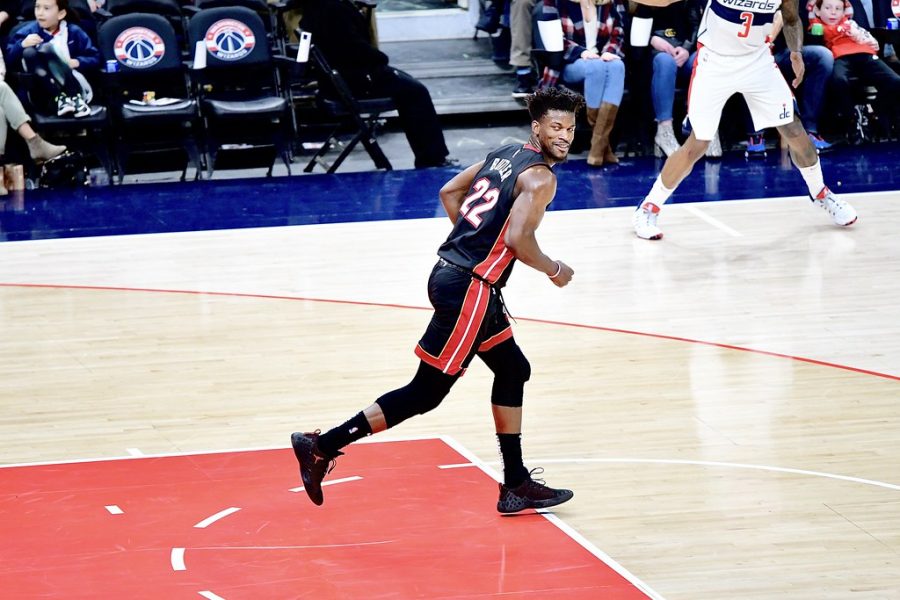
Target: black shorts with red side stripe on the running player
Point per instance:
(468, 318)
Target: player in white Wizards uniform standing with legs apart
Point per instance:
(733, 56)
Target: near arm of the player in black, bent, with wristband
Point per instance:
(535, 190)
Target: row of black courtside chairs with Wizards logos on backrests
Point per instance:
(234, 96)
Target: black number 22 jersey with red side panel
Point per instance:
(477, 240)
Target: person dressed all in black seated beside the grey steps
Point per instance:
(341, 32)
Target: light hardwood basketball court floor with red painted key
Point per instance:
(723, 403)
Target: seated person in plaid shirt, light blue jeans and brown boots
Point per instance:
(593, 33)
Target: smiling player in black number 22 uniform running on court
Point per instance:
(495, 206)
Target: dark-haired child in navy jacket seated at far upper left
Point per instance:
(54, 50)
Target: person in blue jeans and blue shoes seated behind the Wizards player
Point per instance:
(819, 63)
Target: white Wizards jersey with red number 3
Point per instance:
(737, 27)
